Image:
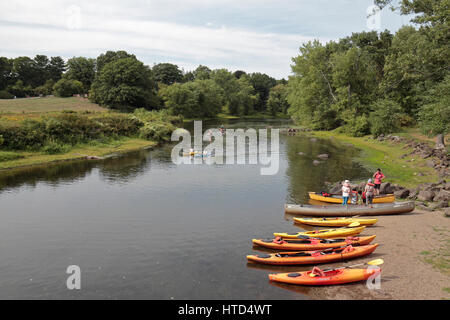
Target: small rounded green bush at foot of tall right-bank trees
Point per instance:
(383, 119)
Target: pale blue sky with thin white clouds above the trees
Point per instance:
(249, 35)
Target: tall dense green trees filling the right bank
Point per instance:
(373, 82)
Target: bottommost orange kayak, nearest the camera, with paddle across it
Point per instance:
(331, 277)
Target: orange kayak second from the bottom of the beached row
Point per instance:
(313, 257)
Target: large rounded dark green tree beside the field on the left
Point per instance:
(125, 83)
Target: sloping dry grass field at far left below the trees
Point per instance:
(47, 104)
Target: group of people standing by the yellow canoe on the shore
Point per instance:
(371, 190)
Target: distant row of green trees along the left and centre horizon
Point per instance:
(117, 79)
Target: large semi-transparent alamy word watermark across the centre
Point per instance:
(235, 147)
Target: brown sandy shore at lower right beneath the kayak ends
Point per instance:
(405, 242)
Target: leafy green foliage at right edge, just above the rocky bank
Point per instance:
(434, 117)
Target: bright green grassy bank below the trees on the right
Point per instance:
(408, 171)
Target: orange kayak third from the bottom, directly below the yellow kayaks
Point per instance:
(311, 244)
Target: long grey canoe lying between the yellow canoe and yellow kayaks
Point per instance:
(350, 210)
